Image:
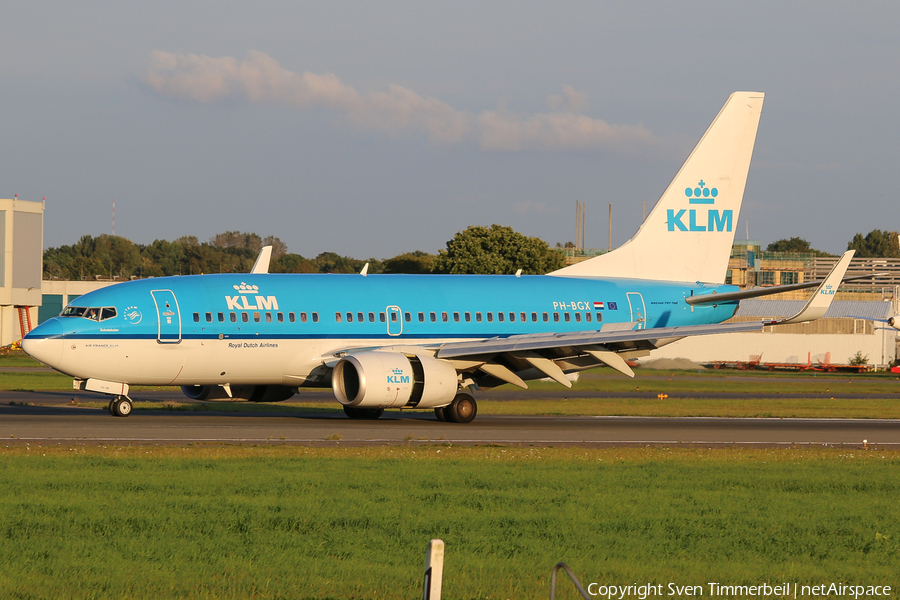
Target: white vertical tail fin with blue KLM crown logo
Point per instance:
(689, 233)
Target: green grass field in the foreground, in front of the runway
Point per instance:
(249, 522)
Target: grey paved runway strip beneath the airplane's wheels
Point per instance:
(57, 423)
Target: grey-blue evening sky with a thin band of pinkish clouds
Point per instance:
(376, 128)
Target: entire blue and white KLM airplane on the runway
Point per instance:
(429, 341)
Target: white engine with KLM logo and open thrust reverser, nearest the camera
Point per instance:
(393, 380)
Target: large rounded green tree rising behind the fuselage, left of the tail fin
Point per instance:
(497, 250)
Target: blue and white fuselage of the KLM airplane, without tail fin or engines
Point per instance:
(277, 329)
